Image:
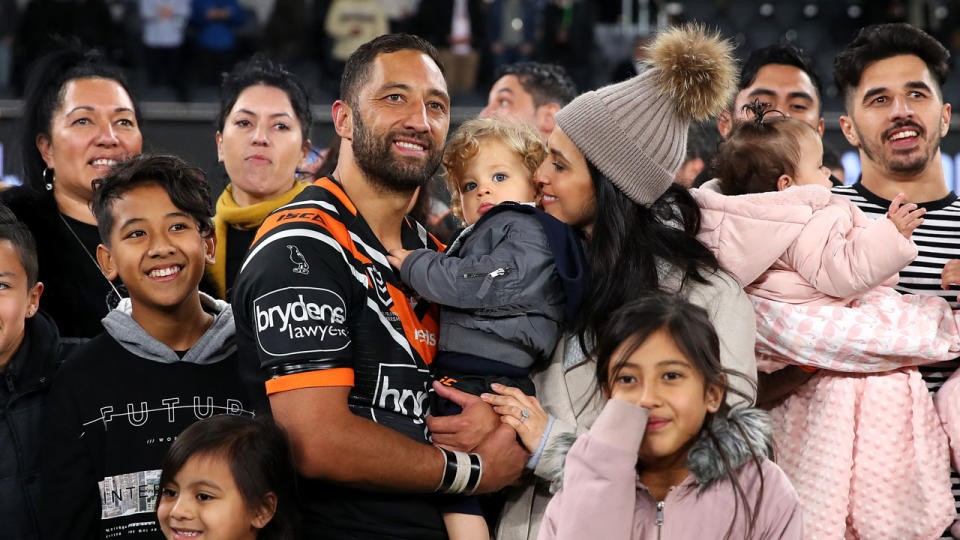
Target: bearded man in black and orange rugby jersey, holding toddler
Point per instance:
(345, 347)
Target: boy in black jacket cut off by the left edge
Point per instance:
(29, 354)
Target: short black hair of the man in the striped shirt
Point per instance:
(881, 41)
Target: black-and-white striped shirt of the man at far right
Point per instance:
(938, 241)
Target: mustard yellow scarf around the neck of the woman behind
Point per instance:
(229, 214)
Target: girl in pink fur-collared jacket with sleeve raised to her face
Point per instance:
(666, 458)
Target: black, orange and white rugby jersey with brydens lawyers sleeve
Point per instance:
(318, 305)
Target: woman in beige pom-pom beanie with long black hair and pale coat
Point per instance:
(613, 157)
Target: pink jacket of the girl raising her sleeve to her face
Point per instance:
(602, 497)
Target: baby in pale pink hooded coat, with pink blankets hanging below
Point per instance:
(861, 441)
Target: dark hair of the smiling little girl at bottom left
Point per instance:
(260, 461)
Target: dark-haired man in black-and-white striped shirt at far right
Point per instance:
(891, 77)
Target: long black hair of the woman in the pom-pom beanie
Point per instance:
(629, 246)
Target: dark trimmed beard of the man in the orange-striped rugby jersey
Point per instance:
(375, 158)
